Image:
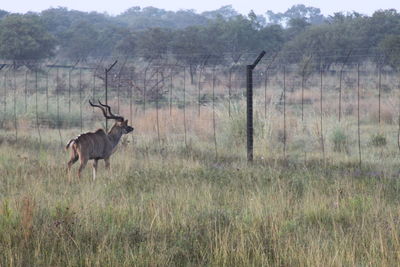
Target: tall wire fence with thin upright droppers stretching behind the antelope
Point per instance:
(302, 110)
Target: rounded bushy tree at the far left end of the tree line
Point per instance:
(24, 37)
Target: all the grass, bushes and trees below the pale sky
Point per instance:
(180, 191)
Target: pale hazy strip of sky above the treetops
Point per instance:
(115, 7)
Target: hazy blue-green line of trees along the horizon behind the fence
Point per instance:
(222, 36)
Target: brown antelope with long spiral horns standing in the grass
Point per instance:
(99, 144)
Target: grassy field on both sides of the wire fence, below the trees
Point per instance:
(180, 193)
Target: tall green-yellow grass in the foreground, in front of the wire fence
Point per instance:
(178, 206)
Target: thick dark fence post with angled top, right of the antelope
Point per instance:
(249, 95)
